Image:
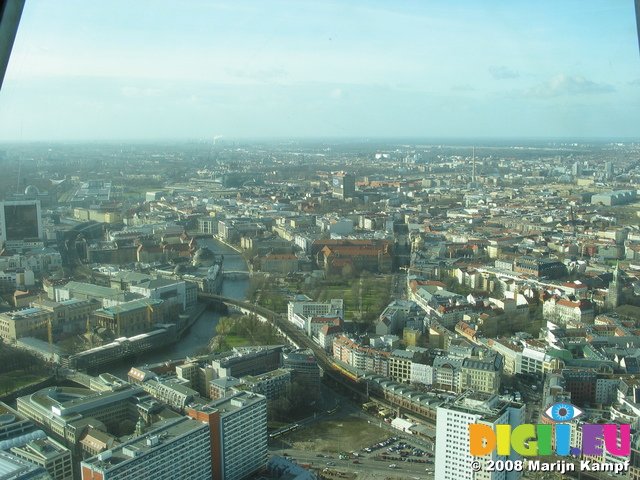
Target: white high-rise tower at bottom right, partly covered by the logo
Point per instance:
(453, 457)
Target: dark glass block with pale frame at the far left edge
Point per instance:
(20, 220)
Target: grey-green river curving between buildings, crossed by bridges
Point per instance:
(205, 327)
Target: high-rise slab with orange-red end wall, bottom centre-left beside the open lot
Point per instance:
(238, 429)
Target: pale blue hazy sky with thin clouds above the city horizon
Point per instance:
(199, 69)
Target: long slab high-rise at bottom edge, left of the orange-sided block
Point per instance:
(176, 450)
